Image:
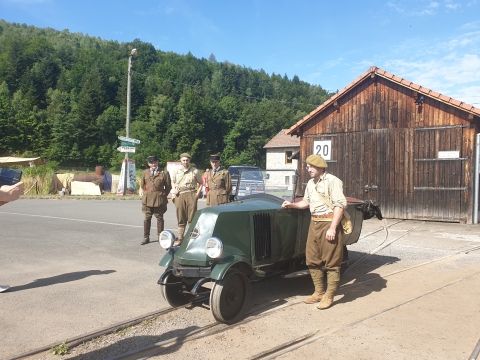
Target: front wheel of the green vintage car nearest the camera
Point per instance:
(229, 297)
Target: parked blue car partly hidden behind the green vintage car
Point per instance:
(247, 179)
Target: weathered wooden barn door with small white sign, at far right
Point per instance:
(438, 173)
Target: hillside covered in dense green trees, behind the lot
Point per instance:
(63, 97)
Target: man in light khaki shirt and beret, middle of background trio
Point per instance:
(185, 193)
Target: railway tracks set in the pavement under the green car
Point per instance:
(257, 312)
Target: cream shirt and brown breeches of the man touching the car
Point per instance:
(319, 251)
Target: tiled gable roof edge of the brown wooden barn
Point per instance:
(375, 71)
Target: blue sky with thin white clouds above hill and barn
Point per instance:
(435, 44)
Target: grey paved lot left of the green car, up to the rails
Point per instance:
(74, 266)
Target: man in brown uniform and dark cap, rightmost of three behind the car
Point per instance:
(219, 183)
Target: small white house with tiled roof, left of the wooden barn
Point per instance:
(281, 165)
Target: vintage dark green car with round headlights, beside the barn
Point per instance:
(228, 246)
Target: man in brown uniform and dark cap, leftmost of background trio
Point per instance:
(156, 185)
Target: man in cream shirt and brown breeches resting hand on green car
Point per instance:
(324, 250)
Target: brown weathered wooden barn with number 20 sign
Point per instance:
(406, 147)
